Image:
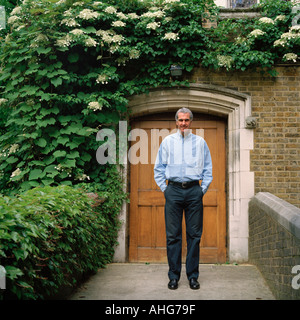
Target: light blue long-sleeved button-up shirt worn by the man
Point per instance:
(183, 158)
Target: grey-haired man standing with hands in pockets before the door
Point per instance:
(183, 159)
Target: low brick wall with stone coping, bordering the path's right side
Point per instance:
(274, 243)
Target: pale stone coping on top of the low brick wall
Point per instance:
(283, 212)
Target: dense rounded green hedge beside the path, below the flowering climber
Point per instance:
(50, 236)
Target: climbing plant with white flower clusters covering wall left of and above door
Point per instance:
(68, 68)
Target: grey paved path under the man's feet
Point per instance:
(126, 281)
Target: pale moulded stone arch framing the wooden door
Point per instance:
(236, 107)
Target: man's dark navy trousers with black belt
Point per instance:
(188, 200)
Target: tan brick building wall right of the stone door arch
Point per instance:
(276, 104)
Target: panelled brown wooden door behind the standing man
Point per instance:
(147, 237)
